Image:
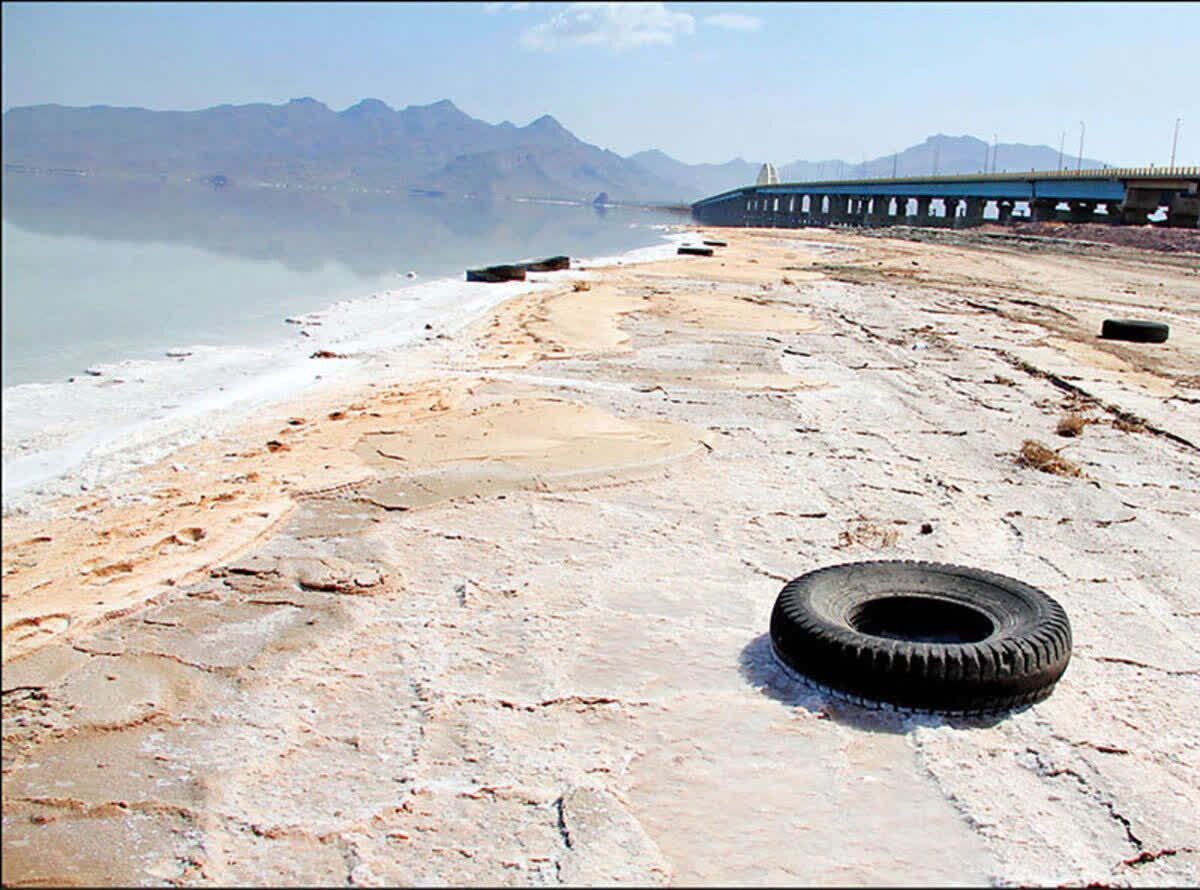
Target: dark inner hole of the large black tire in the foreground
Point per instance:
(921, 620)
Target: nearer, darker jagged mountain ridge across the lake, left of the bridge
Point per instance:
(304, 142)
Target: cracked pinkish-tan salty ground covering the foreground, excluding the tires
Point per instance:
(506, 624)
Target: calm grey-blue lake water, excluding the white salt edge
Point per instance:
(99, 272)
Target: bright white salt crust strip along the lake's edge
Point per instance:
(40, 467)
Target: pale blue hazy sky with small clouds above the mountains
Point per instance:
(703, 82)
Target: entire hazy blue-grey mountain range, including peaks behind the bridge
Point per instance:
(435, 148)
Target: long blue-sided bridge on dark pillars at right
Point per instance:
(1125, 196)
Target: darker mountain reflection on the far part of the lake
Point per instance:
(369, 233)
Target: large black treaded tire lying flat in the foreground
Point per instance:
(923, 635)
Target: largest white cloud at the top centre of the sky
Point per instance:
(614, 26)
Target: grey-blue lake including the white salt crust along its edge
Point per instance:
(104, 279)
